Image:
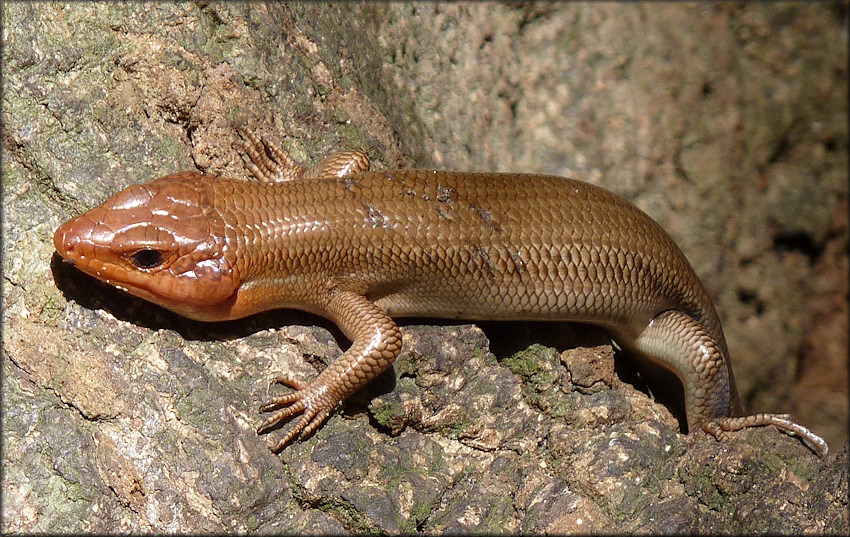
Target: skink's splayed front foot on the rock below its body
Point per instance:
(314, 401)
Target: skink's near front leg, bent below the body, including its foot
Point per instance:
(376, 341)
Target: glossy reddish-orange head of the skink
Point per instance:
(163, 241)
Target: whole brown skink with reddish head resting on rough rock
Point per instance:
(361, 247)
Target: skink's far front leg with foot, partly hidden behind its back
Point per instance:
(271, 164)
